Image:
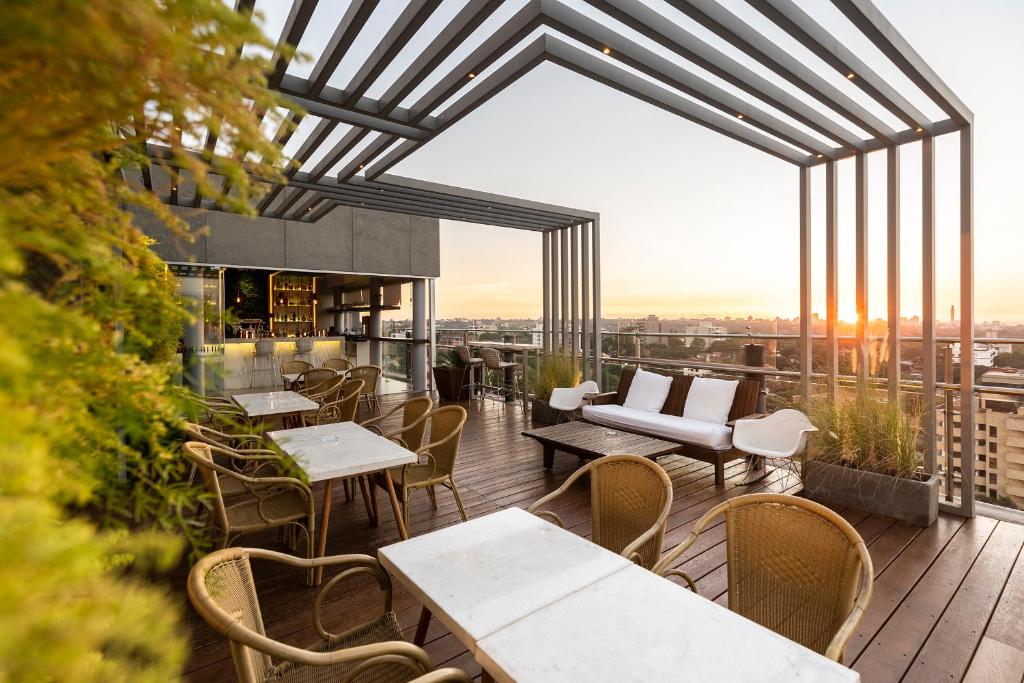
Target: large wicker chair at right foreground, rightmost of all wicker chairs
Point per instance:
(795, 567)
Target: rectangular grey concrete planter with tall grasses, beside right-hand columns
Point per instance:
(867, 455)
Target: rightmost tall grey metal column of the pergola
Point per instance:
(967, 322)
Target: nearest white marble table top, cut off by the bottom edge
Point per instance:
(635, 626)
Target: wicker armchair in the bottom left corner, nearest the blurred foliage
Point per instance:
(223, 590)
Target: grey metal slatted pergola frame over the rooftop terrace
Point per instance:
(766, 74)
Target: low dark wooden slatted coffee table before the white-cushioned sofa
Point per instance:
(589, 442)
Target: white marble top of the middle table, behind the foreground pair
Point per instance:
(340, 450)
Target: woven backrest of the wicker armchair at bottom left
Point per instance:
(224, 592)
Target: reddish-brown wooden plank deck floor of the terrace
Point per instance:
(949, 602)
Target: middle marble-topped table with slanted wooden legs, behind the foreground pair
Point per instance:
(344, 450)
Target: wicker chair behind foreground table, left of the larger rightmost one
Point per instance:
(630, 500)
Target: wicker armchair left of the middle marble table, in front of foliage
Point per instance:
(273, 502)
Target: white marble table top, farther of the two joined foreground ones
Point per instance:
(483, 575)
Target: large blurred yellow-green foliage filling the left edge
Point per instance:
(92, 483)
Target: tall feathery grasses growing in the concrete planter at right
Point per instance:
(867, 433)
